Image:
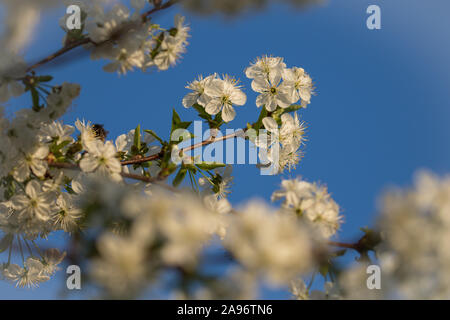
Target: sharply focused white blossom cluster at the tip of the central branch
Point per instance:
(279, 89)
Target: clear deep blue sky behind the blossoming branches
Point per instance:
(381, 109)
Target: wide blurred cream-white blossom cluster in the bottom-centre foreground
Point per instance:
(159, 231)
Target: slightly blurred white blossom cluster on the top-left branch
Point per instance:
(128, 39)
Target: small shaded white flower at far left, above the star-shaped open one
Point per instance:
(34, 162)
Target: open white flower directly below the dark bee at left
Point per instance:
(102, 158)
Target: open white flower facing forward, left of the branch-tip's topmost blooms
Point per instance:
(224, 94)
